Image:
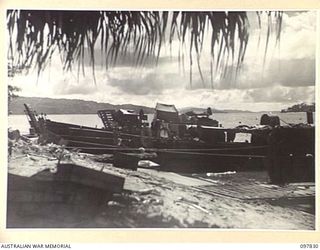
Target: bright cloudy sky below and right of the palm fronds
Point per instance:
(286, 78)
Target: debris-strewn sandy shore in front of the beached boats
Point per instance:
(154, 199)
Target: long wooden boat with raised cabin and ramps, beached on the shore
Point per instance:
(192, 141)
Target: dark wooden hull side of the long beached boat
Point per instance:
(173, 155)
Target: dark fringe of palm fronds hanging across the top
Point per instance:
(35, 35)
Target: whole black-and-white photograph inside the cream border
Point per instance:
(161, 119)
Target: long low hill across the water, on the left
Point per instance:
(67, 106)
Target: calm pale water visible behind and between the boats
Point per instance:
(226, 119)
